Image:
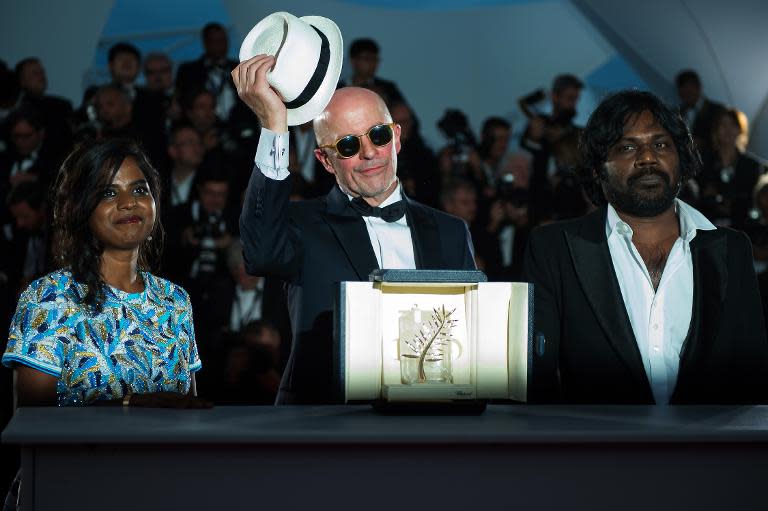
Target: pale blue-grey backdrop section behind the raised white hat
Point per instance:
(477, 59)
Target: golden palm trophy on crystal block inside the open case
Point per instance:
(424, 347)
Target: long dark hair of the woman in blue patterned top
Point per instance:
(79, 187)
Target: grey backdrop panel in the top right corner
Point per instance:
(725, 42)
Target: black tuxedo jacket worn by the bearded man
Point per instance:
(589, 353)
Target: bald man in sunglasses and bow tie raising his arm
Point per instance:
(364, 223)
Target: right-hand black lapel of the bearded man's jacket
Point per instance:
(710, 279)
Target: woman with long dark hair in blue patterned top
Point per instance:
(102, 329)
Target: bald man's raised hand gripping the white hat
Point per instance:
(250, 79)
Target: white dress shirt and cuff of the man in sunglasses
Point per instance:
(391, 241)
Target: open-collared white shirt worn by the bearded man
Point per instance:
(660, 318)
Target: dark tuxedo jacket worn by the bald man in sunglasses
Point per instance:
(315, 244)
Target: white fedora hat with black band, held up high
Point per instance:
(309, 52)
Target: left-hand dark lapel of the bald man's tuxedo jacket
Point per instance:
(350, 231)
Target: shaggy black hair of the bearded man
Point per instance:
(606, 126)
